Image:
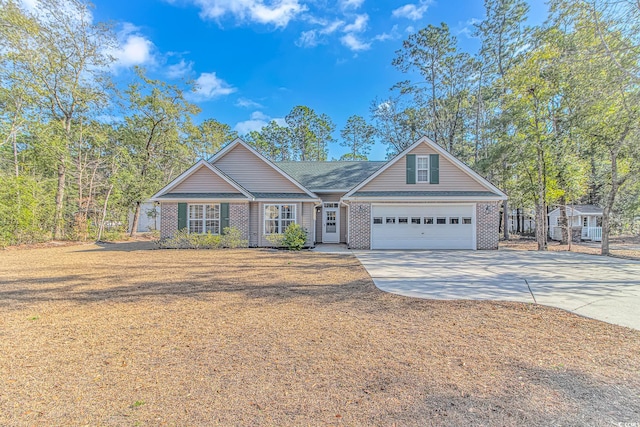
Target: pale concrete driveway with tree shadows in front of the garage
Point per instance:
(602, 288)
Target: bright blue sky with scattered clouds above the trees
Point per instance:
(254, 60)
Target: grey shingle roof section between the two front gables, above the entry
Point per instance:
(338, 175)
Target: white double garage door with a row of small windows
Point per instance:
(423, 226)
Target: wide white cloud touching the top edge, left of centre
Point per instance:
(275, 12)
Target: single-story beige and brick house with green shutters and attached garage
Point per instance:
(423, 198)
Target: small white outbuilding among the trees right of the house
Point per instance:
(588, 217)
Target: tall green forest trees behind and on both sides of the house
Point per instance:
(550, 114)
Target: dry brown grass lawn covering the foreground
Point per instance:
(119, 335)
